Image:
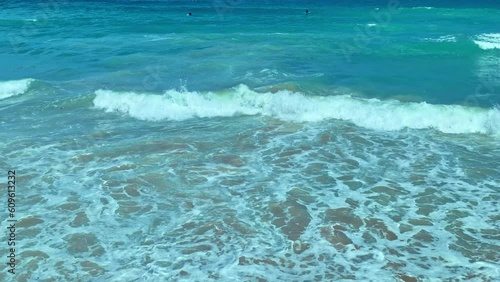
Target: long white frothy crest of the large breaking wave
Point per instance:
(369, 113)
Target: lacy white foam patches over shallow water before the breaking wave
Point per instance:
(281, 201)
